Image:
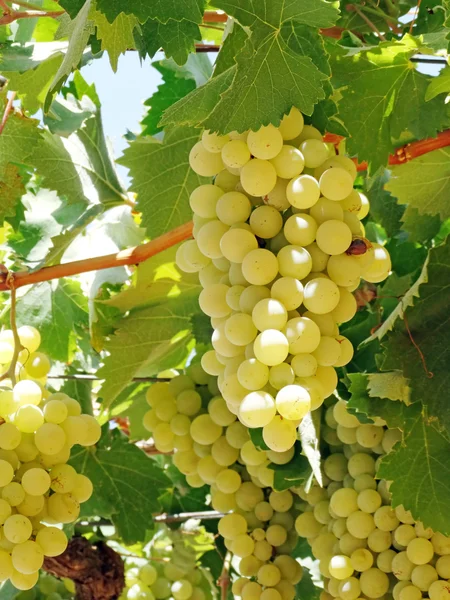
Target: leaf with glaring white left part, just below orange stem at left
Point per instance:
(59, 310)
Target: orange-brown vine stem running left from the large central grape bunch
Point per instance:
(131, 256)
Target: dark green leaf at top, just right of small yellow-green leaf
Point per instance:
(176, 38)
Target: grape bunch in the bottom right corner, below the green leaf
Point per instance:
(367, 548)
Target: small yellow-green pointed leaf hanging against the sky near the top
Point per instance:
(117, 37)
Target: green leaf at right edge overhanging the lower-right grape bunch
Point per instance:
(419, 470)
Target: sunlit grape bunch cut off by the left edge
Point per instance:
(39, 491)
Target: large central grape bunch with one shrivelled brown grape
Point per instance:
(279, 247)
